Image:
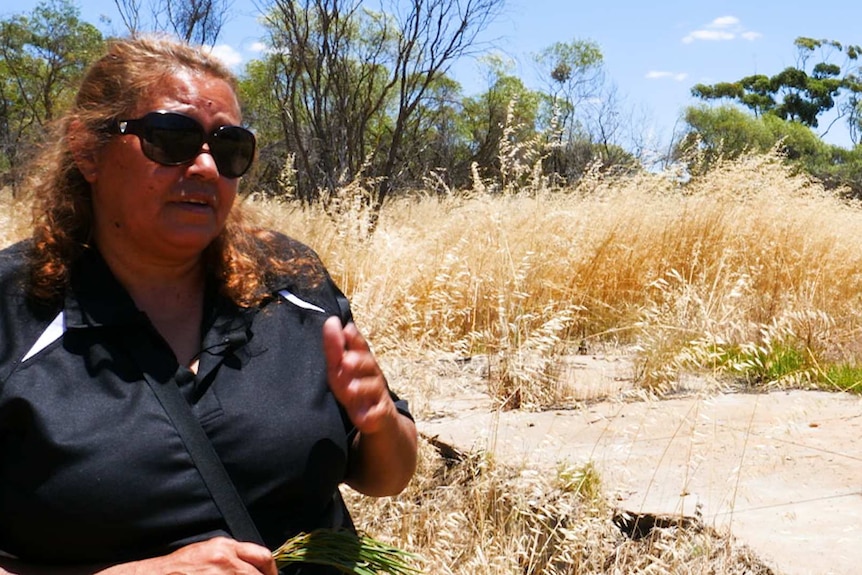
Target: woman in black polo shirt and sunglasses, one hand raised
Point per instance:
(141, 268)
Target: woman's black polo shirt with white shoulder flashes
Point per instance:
(92, 469)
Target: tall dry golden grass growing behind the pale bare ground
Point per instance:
(746, 257)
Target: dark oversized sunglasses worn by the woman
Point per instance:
(172, 139)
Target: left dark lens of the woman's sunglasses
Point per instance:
(171, 139)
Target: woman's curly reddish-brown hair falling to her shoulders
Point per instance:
(240, 258)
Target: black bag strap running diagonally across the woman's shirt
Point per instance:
(200, 448)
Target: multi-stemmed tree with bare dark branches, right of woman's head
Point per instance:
(354, 84)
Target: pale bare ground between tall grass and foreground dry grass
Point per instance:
(782, 471)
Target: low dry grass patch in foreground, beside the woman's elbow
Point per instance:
(474, 516)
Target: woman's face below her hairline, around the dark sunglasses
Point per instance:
(148, 210)
